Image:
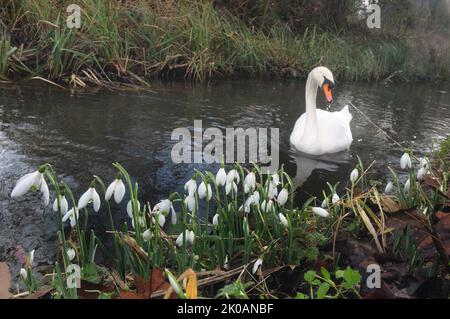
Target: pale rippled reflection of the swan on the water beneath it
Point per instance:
(306, 164)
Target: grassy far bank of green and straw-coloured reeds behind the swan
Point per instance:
(134, 42)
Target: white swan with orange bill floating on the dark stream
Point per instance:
(319, 132)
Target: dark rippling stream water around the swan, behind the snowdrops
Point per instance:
(83, 133)
